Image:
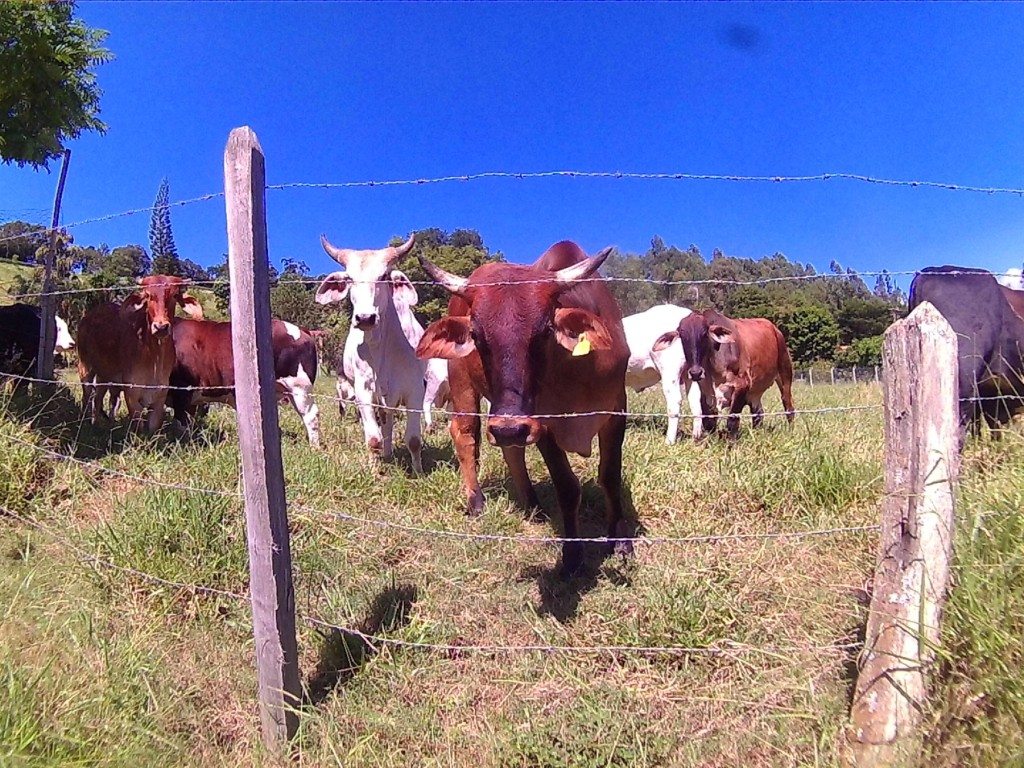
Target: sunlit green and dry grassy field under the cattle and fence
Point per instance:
(101, 667)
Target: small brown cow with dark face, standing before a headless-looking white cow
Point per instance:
(736, 362)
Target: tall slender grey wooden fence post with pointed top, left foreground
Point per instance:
(271, 586)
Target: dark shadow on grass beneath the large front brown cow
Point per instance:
(562, 594)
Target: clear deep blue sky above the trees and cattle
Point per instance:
(348, 92)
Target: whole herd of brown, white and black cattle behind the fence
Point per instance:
(545, 345)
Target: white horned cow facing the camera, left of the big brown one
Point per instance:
(382, 364)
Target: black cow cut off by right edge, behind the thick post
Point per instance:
(991, 339)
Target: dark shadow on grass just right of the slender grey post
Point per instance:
(345, 653)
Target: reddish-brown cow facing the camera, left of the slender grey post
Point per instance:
(130, 348)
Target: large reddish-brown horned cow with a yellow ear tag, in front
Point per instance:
(544, 343)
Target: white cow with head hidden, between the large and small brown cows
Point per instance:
(649, 367)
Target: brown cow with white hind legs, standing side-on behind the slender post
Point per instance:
(204, 371)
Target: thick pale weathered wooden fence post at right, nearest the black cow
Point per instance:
(913, 575)
